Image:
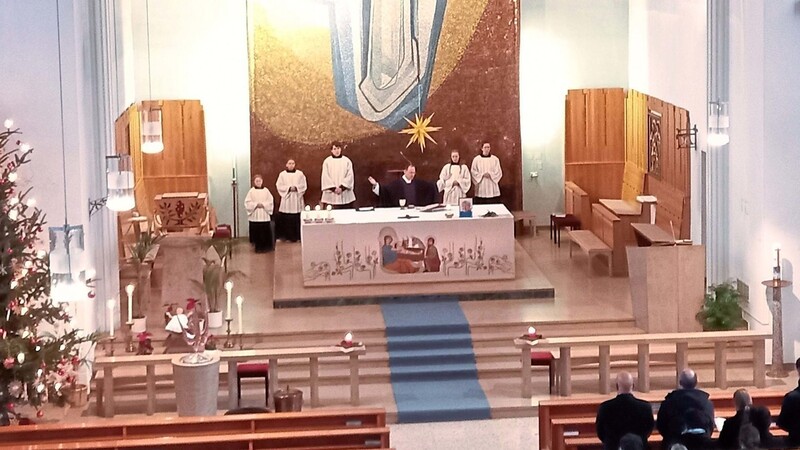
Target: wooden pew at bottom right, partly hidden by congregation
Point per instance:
(571, 416)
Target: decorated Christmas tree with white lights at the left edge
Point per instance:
(39, 348)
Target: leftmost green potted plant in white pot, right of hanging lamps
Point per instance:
(143, 252)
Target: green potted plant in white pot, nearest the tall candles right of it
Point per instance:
(215, 274)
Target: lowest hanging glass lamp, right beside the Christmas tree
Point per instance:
(67, 275)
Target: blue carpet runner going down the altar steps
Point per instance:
(432, 365)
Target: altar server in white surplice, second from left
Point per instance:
(291, 186)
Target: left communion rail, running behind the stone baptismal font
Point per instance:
(105, 390)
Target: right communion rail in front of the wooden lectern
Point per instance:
(720, 339)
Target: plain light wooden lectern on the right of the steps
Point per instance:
(667, 286)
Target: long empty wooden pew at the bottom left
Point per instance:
(350, 428)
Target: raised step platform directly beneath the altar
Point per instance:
(289, 292)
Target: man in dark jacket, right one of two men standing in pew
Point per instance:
(686, 415)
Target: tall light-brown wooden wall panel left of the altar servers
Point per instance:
(181, 167)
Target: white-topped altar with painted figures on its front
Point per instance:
(394, 245)
